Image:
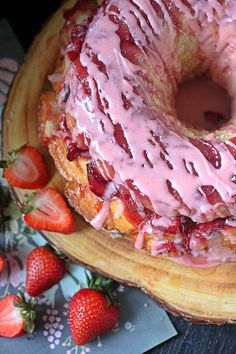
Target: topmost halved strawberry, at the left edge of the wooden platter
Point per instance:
(26, 169)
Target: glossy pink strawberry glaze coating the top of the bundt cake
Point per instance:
(156, 152)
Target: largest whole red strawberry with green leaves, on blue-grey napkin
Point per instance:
(92, 311)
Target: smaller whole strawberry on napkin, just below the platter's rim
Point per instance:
(44, 268)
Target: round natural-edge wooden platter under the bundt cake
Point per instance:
(205, 295)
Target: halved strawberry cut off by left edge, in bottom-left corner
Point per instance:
(16, 316)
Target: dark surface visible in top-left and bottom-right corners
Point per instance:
(26, 19)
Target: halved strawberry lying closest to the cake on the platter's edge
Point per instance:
(49, 212)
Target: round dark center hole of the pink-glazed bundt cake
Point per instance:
(203, 104)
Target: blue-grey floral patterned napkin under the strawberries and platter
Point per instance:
(143, 324)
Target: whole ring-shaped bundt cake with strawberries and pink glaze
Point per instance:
(110, 123)
